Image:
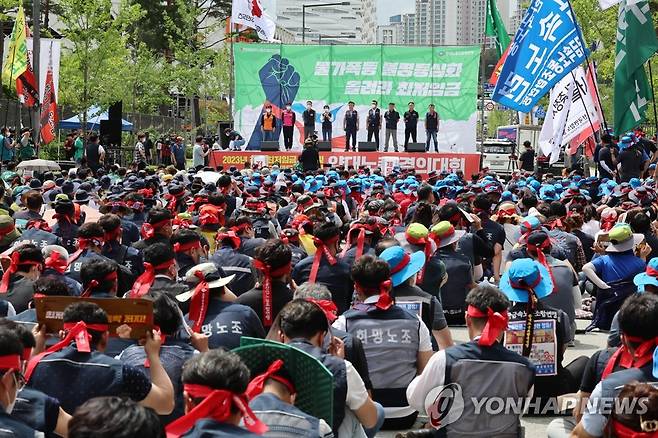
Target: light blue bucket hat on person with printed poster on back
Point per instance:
(522, 274)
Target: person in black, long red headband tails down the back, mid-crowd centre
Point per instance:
(323, 267)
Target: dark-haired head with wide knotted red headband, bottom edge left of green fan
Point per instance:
(214, 385)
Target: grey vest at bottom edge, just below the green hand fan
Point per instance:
(284, 420)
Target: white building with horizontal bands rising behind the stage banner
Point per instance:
(358, 18)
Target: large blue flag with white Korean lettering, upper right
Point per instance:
(547, 46)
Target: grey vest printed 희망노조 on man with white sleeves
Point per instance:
(388, 337)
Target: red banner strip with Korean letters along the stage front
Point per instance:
(423, 162)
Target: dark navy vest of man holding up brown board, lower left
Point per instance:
(73, 377)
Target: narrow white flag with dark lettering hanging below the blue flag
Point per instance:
(550, 138)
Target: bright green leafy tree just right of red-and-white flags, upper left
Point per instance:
(95, 66)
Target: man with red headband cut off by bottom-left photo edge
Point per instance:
(11, 381)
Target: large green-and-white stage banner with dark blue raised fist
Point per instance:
(333, 75)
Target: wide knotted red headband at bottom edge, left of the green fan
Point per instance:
(217, 405)
